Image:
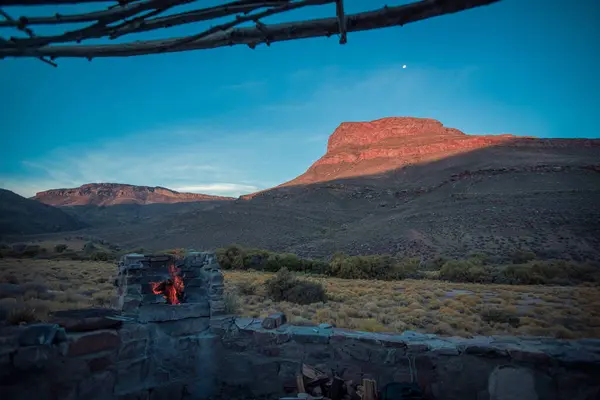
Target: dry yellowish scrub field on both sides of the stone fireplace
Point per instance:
(423, 305)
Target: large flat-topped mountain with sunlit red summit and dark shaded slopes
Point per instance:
(404, 186)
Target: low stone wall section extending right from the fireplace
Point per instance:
(444, 368)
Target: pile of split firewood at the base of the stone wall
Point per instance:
(313, 384)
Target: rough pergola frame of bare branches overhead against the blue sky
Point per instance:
(135, 16)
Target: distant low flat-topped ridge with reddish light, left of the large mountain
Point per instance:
(107, 194)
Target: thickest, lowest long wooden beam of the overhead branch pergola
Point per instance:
(386, 17)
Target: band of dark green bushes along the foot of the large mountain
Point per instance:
(476, 268)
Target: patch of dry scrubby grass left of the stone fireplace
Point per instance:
(52, 285)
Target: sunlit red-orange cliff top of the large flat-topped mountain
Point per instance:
(367, 148)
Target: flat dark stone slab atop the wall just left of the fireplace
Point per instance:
(85, 320)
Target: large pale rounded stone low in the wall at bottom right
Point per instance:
(507, 382)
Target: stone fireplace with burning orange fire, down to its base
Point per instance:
(165, 344)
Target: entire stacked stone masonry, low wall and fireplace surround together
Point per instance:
(194, 351)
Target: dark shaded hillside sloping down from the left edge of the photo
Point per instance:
(19, 215)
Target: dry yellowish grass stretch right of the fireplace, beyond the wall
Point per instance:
(434, 306)
